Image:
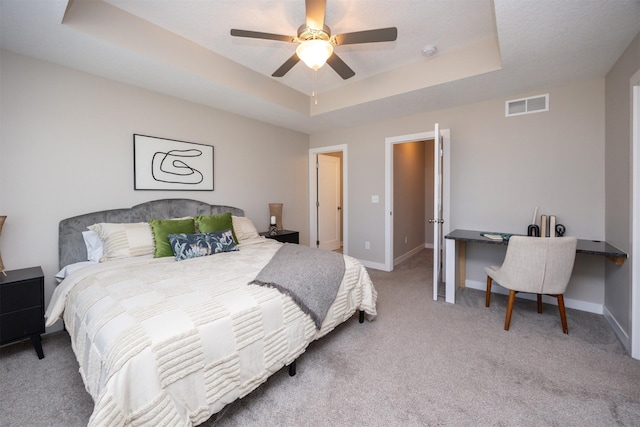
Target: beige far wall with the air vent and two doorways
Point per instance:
(501, 169)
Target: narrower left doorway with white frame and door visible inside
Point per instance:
(328, 198)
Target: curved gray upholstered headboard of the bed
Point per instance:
(71, 247)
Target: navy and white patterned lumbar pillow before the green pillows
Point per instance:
(185, 246)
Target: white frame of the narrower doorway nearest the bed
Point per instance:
(313, 194)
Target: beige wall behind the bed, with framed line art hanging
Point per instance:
(66, 148)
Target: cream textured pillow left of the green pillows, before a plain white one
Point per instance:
(124, 240)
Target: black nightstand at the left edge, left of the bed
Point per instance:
(22, 306)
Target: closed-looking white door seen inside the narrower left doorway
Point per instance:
(329, 209)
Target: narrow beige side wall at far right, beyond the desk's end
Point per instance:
(618, 178)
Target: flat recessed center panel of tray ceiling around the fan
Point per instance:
(420, 23)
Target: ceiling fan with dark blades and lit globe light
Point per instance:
(315, 42)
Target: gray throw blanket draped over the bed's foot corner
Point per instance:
(311, 277)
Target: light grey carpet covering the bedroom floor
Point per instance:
(419, 363)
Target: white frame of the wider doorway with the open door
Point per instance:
(388, 187)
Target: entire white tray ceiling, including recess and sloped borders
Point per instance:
(486, 49)
